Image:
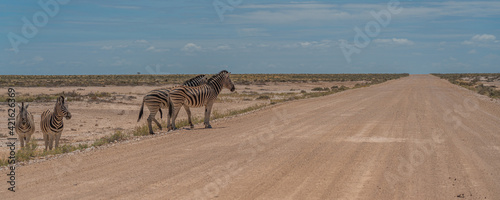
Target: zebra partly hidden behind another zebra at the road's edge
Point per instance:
(155, 100)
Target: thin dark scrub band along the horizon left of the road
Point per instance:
(143, 80)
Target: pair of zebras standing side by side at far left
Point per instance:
(51, 123)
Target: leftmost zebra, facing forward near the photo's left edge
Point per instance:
(25, 125)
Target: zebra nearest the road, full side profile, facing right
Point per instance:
(198, 96)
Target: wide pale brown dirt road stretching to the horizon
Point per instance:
(414, 138)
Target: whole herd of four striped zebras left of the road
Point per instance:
(196, 92)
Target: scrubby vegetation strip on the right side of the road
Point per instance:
(481, 83)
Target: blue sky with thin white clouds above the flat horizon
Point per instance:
(172, 37)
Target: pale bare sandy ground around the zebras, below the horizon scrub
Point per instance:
(94, 119)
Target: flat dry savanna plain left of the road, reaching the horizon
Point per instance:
(100, 110)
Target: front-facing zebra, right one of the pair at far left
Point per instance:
(51, 123)
